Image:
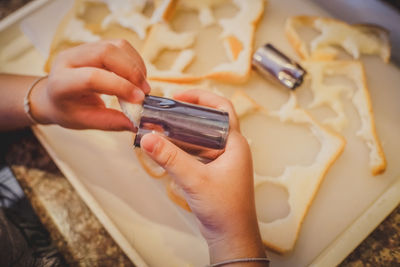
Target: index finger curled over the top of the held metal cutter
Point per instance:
(209, 99)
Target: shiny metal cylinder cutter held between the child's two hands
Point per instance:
(199, 130)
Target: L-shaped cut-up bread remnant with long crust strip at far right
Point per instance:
(332, 94)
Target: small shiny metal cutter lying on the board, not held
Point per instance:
(272, 63)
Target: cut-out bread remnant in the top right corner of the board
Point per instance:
(355, 39)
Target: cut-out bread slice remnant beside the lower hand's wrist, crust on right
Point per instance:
(301, 182)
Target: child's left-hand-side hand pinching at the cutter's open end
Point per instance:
(70, 96)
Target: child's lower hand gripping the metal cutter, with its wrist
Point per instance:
(219, 193)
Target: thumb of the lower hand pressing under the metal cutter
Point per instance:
(174, 160)
